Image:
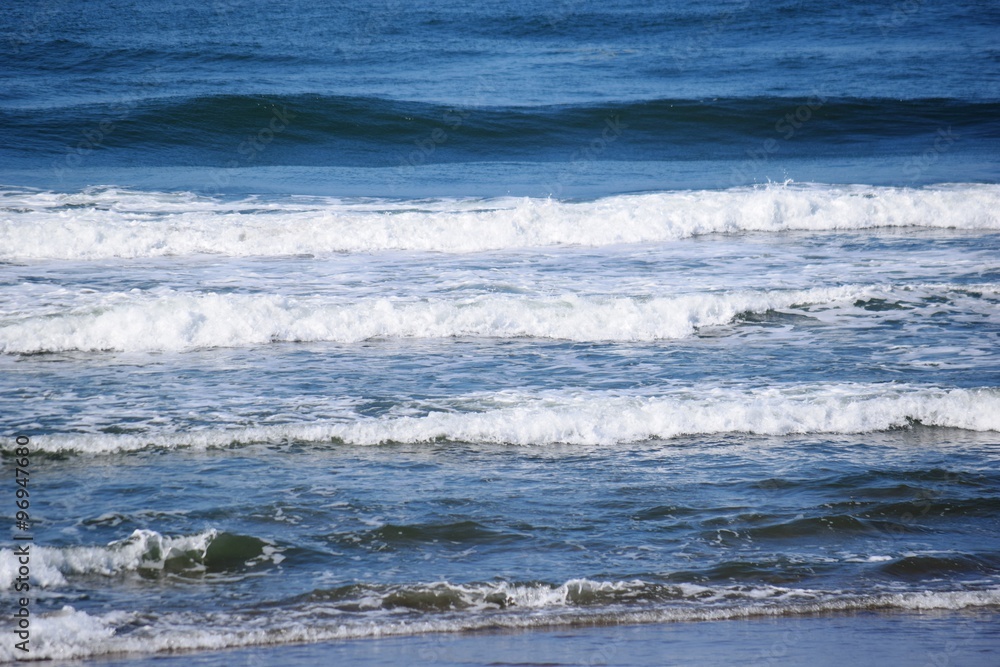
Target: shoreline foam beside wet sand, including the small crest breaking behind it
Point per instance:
(69, 633)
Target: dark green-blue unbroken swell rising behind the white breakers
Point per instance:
(331, 130)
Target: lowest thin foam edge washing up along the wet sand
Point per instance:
(69, 633)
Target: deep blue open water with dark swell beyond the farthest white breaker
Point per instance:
(192, 95)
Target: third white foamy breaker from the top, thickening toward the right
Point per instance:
(593, 418)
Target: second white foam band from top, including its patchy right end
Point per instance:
(170, 320)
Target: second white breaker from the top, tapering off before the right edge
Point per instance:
(177, 321)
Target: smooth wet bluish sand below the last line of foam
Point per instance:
(868, 638)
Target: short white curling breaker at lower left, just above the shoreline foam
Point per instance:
(142, 550)
